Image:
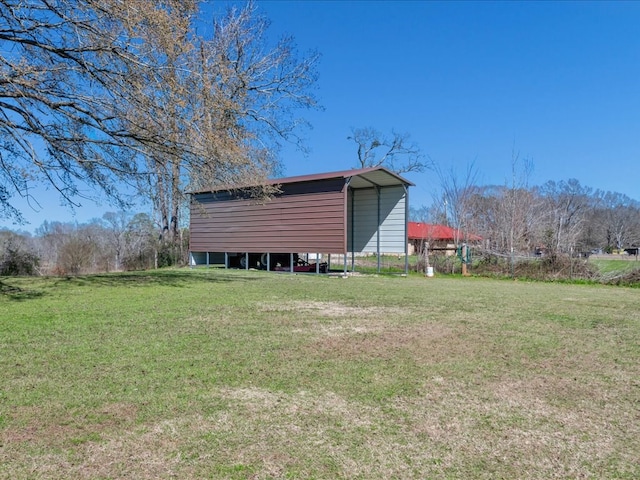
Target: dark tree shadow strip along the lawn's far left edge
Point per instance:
(171, 278)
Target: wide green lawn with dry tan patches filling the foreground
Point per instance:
(254, 375)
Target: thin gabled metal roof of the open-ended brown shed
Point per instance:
(358, 178)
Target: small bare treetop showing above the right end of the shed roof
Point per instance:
(396, 152)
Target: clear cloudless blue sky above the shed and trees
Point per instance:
(556, 82)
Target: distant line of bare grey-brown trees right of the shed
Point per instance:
(555, 219)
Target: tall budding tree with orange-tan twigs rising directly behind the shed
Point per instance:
(233, 97)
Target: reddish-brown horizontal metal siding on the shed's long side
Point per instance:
(306, 217)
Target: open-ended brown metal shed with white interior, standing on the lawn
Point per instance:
(339, 213)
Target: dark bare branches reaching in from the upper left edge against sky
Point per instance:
(65, 71)
